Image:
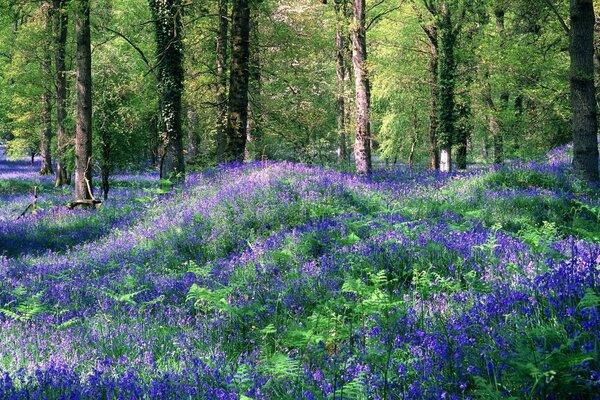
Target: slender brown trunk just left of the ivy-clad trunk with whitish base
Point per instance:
(434, 152)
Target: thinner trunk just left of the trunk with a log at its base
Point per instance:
(60, 27)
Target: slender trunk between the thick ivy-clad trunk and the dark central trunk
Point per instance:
(222, 79)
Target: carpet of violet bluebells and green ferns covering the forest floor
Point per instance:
(283, 281)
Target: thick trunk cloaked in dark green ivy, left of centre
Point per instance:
(169, 55)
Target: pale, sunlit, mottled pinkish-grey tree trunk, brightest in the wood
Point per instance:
(362, 144)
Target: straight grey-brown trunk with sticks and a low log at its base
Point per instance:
(83, 132)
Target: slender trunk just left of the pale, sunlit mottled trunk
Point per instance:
(340, 58)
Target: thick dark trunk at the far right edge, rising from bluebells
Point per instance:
(583, 94)
